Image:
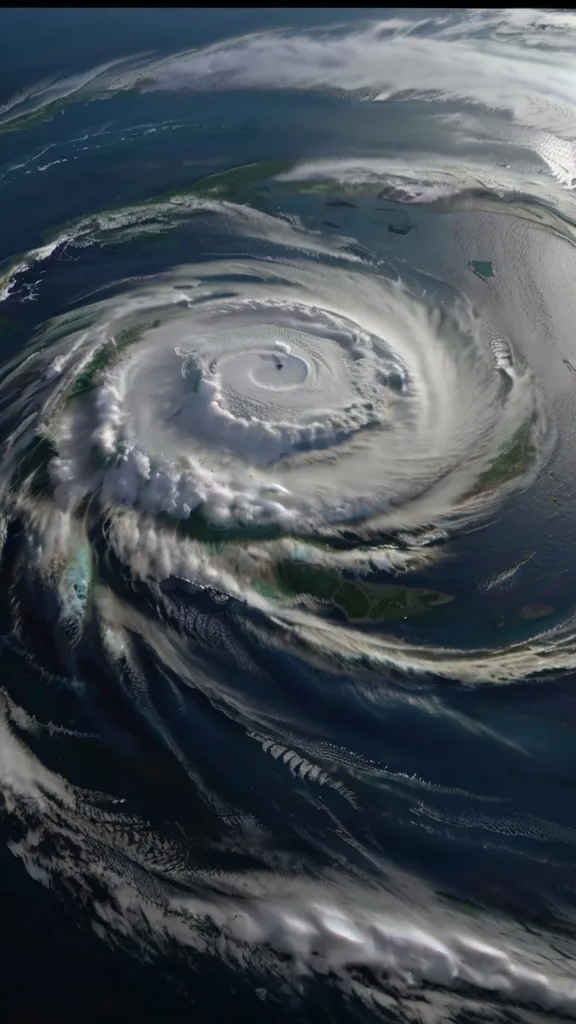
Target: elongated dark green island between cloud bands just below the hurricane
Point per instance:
(360, 602)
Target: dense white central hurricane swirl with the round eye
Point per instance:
(310, 397)
